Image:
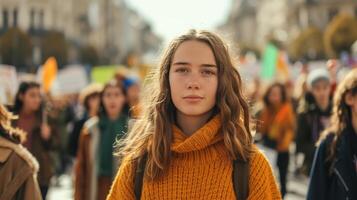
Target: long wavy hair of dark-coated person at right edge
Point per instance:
(342, 113)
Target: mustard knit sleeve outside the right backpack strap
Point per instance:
(262, 183)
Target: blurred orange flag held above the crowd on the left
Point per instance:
(49, 73)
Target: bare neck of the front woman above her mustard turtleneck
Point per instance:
(190, 124)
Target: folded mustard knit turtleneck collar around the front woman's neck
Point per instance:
(202, 138)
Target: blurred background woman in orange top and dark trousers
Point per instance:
(277, 128)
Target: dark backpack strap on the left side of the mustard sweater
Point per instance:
(139, 176)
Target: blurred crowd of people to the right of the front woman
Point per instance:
(293, 123)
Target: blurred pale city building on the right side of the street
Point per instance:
(253, 23)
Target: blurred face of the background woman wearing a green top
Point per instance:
(113, 100)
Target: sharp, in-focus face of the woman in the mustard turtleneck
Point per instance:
(193, 78)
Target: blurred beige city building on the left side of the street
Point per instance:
(108, 29)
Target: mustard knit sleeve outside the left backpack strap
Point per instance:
(123, 185)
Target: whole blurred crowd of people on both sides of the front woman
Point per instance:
(76, 134)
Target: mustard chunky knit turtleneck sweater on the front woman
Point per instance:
(200, 169)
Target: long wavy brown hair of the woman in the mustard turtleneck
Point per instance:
(152, 132)
